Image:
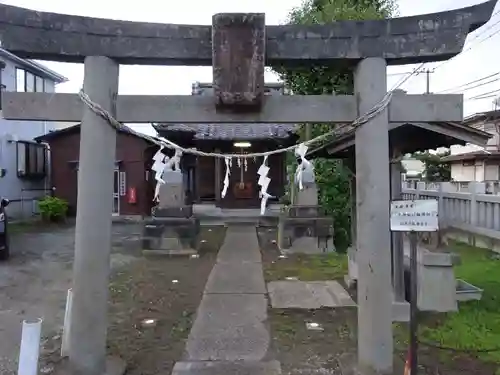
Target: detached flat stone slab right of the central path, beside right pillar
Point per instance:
(308, 295)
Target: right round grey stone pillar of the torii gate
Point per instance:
(375, 347)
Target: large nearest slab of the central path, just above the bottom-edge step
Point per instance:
(228, 328)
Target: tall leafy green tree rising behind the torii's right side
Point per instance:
(331, 176)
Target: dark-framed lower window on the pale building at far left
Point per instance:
(31, 160)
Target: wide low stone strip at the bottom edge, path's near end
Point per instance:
(227, 368)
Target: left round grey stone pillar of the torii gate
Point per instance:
(93, 221)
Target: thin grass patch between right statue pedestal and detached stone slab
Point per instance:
(319, 267)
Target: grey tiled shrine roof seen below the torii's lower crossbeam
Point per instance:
(230, 131)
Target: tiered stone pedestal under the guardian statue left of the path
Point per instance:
(172, 229)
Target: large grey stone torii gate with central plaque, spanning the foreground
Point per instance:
(238, 46)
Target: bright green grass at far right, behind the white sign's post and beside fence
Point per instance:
(477, 324)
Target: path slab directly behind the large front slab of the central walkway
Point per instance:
(245, 278)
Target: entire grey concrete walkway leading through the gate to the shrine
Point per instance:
(229, 335)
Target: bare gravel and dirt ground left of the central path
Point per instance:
(34, 284)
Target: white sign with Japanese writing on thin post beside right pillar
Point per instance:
(414, 216)
